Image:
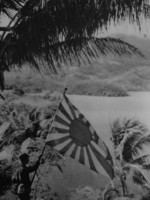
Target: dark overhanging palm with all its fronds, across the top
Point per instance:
(48, 33)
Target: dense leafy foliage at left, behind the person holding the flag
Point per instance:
(23, 128)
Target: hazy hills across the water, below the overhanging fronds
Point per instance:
(109, 76)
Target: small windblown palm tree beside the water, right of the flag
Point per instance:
(130, 138)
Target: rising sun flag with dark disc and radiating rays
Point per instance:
(73, 135)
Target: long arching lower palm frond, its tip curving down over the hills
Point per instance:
(77, 50)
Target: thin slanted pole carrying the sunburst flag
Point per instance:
(50, 130)
